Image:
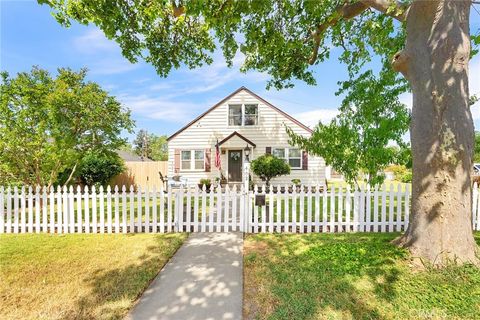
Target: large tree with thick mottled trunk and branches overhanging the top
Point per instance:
(426, 42)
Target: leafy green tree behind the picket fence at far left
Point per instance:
(47, 124)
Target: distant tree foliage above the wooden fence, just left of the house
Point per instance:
(151, 146)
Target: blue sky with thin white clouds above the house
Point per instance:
(30, 36)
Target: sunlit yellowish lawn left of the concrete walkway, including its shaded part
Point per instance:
(78, 276)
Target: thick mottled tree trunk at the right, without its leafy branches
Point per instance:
(435, 61)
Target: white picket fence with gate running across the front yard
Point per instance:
(307, 209)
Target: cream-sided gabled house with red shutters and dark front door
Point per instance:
(241, 119)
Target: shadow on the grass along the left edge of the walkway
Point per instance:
(113, 291)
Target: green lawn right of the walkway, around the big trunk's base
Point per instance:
(350, 276)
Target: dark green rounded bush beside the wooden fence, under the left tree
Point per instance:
(99, 169)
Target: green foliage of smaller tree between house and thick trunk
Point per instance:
(357, 140)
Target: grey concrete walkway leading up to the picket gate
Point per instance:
(202, 281)
